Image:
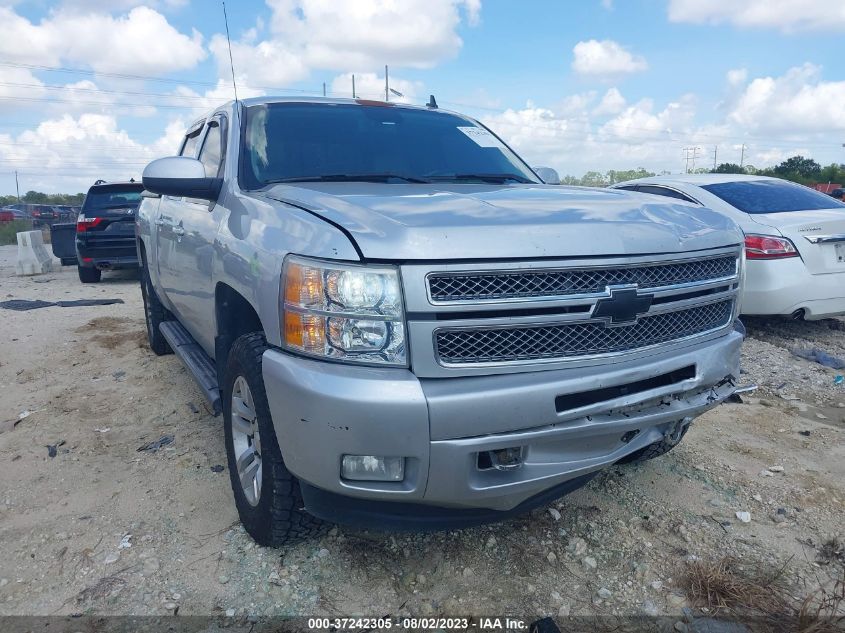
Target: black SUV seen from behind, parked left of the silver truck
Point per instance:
(105, 229)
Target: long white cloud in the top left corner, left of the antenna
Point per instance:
(141, 42)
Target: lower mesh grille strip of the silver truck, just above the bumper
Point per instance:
(563, 341)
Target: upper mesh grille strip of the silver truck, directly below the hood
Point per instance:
(504, 285)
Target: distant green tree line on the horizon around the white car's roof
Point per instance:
(798, 169)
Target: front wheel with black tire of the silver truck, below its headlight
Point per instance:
(274, 516)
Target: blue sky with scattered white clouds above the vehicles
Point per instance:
(93, 89)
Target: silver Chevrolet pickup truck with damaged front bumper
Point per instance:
(404, 327)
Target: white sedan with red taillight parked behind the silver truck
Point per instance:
(794, 238)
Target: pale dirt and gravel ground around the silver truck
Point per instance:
(104, 528)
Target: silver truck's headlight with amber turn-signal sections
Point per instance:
(343, 312)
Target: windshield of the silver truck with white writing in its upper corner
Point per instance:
(286, 142)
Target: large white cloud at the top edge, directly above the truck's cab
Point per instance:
(348, 36)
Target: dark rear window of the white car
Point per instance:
(772, 196)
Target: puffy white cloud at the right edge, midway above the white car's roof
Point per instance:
(799, 101)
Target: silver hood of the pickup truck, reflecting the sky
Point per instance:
(425, 222)
